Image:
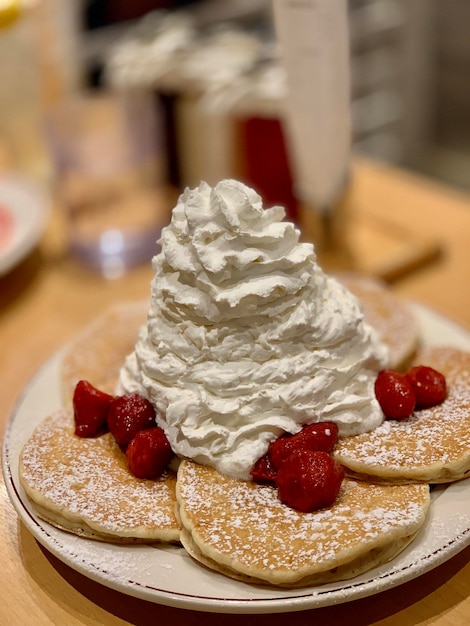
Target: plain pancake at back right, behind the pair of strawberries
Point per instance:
(391, 317)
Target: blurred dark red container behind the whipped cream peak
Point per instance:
(264, 162)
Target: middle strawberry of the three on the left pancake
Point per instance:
(127, 415)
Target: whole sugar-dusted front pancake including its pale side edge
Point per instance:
(242, 530)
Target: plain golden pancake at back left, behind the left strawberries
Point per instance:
(97, 353)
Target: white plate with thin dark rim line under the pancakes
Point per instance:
(166, 575)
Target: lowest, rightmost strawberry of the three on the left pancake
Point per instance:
(149, 453)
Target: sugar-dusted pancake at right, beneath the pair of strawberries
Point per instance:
(431, 446)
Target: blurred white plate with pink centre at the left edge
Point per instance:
(23, 214)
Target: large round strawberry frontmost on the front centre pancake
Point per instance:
(308, 480)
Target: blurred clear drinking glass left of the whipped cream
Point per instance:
(105, 153)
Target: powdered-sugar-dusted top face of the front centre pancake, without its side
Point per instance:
(249, 524)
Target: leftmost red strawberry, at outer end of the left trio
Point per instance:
(90, 409)
